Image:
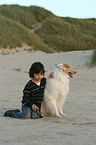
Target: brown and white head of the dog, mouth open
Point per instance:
(66, 69)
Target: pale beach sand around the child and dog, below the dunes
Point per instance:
(79, 127)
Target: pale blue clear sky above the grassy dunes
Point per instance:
(64, 8)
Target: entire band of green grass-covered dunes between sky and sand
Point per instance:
(56, 34)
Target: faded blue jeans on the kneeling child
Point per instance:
(25, 113)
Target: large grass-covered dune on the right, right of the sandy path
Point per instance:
(65, 35)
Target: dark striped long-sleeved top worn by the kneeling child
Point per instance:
(33, 94)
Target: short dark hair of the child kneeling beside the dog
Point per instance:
(36, 68)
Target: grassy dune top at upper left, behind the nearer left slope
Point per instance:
(27, 16)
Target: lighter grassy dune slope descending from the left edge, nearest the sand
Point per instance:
(13, 34)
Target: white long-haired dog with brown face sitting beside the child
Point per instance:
(56, 91)
